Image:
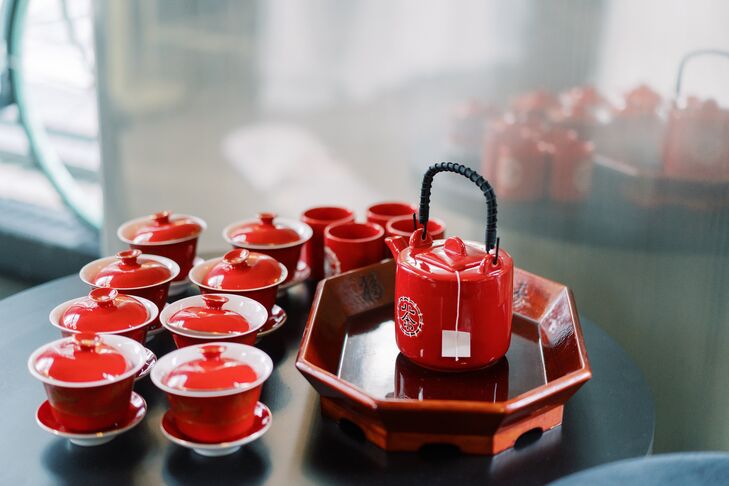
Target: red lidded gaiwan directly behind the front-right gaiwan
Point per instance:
(202, 319)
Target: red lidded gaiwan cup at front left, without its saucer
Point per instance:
(88, 379)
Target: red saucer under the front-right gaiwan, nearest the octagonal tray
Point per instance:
(260, 426)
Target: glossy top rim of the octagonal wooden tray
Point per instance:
(513, 405)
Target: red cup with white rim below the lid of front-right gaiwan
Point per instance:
(213, 415)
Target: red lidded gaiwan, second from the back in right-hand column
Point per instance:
(241, 272)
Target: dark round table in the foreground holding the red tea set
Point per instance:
(610, 418)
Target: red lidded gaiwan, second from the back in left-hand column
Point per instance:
(133, 273)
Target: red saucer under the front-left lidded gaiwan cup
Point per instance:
(45, 419)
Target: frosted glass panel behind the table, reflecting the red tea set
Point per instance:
(620, 190)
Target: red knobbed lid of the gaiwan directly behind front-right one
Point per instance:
(210, 318)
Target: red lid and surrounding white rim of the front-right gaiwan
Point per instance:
(212, 369)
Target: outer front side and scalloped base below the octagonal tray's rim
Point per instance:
(503, 439)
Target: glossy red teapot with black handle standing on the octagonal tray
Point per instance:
(453, 298)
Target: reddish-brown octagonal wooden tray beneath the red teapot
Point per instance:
(348, 353)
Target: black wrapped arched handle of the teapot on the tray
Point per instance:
(474, 177)
